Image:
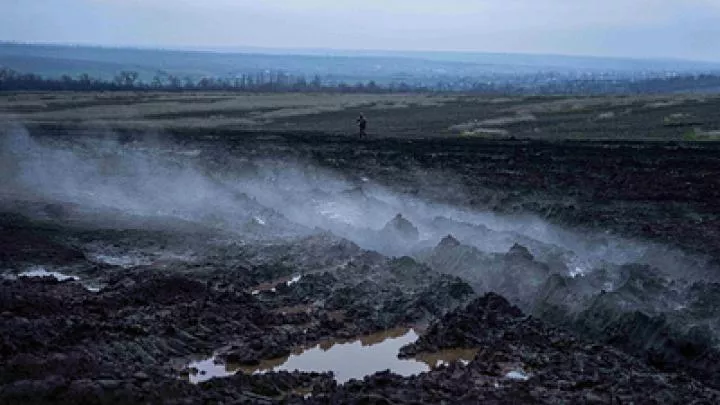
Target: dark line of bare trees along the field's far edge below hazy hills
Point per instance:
(546, 84)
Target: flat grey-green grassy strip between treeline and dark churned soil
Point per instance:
(672, 117)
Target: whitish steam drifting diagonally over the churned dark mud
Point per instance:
(108, 180)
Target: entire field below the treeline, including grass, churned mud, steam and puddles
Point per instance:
(469, 251)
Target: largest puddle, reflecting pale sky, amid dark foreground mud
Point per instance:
(347, 359)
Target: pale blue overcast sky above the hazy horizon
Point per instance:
(638, 28)
